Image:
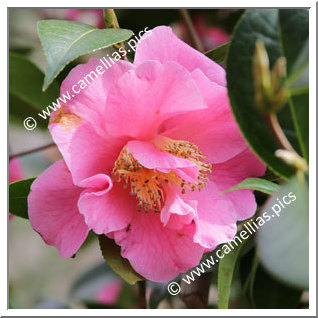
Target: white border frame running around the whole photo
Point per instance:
(163, 312)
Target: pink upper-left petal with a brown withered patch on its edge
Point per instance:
(87, 109)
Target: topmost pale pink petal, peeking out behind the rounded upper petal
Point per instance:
(163, 45)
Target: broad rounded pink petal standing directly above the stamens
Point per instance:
(144, 97)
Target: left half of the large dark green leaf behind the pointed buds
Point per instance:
(254, 24)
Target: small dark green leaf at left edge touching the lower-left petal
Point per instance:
(18, 194)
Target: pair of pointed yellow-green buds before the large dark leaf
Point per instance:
(270, 91)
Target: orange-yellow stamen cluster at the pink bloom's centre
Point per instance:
(148, 184)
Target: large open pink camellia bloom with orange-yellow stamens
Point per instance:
(148, 149)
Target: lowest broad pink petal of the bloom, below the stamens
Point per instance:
(156, 252)
